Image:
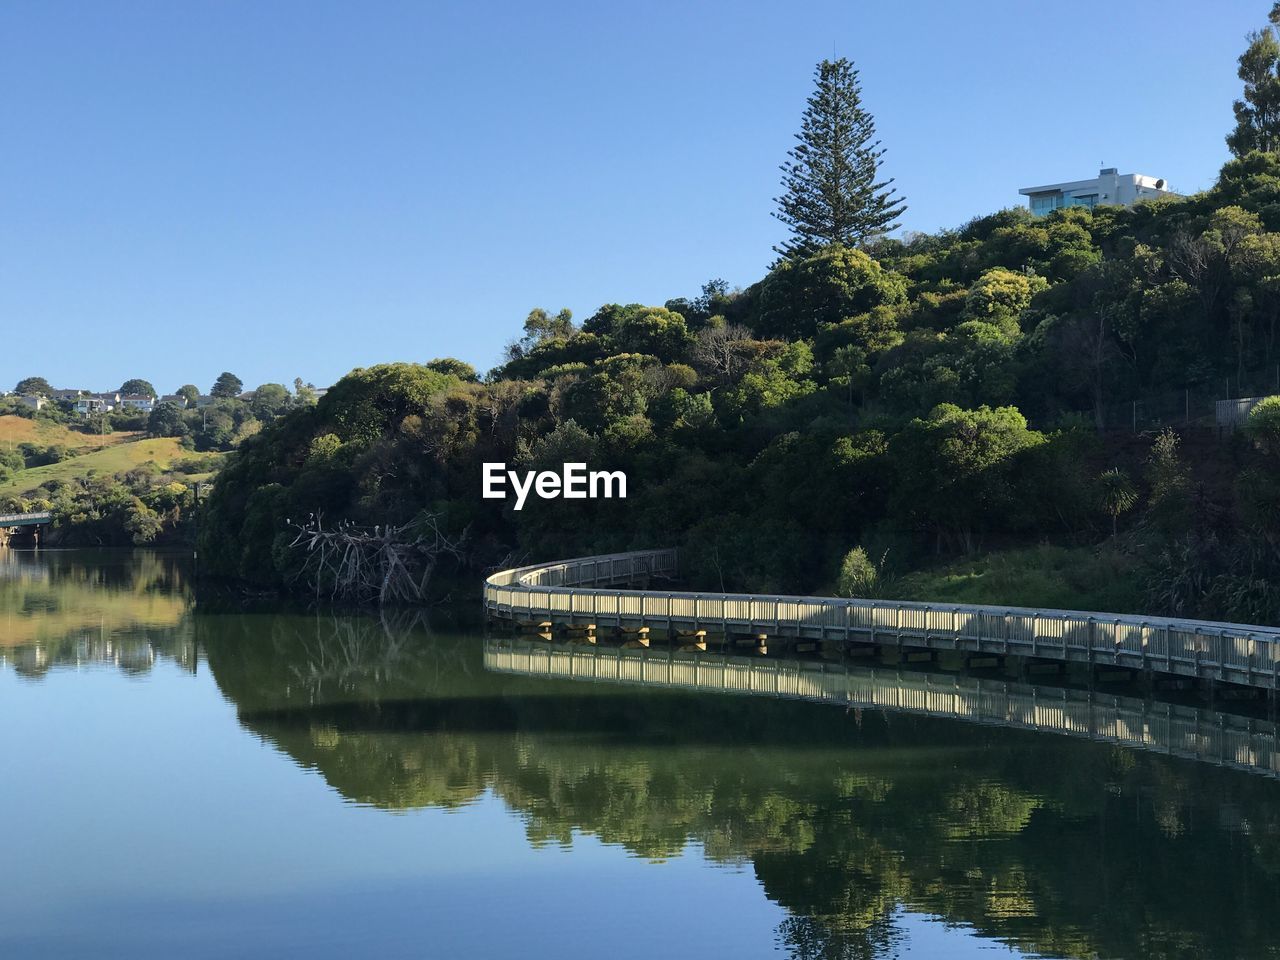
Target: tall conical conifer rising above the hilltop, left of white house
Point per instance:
(830, 180)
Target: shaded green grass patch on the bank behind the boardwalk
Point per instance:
(1084, 578)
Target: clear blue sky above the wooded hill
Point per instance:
(296, 189)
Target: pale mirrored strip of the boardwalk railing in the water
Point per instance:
(1181, 732)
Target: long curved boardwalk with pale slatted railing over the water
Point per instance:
(602, 592)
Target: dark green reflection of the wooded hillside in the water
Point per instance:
(1063, 847)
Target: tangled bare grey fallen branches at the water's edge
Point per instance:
(385, 564)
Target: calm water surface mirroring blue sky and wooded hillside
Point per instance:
(243, 783)
